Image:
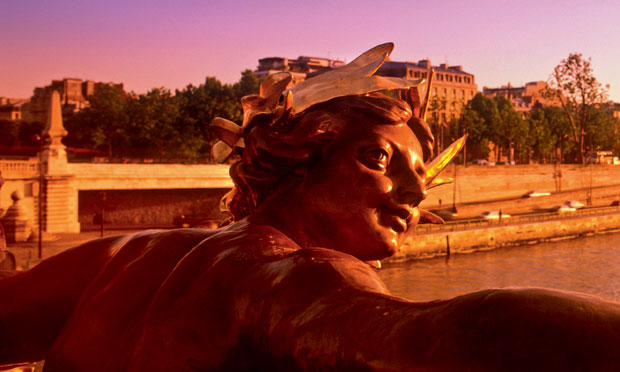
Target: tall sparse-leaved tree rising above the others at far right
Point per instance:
(574, 86)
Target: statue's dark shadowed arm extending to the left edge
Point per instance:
(35, 304)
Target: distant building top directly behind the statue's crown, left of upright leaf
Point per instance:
(299, 68)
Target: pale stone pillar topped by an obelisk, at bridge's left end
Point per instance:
(59, 199)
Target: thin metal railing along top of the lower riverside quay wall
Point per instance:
(518, 219)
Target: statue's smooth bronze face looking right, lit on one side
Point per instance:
(362, 197)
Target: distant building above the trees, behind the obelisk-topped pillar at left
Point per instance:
(73, 97)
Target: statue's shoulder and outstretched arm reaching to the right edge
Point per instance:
(330, 314)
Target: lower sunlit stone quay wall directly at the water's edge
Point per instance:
(436, 244)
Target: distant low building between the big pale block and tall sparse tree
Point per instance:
(523, 98)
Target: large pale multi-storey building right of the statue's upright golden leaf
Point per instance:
(452, 87)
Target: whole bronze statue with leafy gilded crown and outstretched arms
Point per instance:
(330, 176)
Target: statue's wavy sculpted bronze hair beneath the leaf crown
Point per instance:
(276, 154)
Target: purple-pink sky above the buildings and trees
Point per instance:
(147, 44)
